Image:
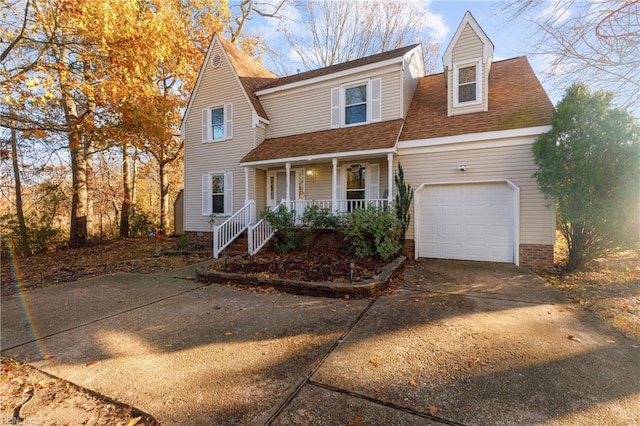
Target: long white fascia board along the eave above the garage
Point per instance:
(503, 137)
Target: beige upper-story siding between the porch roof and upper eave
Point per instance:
(308, 109)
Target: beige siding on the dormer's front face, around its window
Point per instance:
(467, 49)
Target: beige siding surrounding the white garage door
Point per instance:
(537, 217)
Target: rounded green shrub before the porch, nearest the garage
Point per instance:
(373, 232)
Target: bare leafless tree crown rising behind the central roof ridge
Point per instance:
(330, 32)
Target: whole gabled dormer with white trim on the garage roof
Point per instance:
(466, 62)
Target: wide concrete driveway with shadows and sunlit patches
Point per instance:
(455, 343)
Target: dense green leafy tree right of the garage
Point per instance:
(589, 164)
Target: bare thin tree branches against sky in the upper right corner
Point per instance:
(596, 42)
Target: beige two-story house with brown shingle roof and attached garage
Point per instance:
(335, 136)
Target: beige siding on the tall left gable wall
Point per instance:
(217, 86)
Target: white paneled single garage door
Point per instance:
(468, 222)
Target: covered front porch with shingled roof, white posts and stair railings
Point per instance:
(340, 169)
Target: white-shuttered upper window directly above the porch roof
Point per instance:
(356, 103)
